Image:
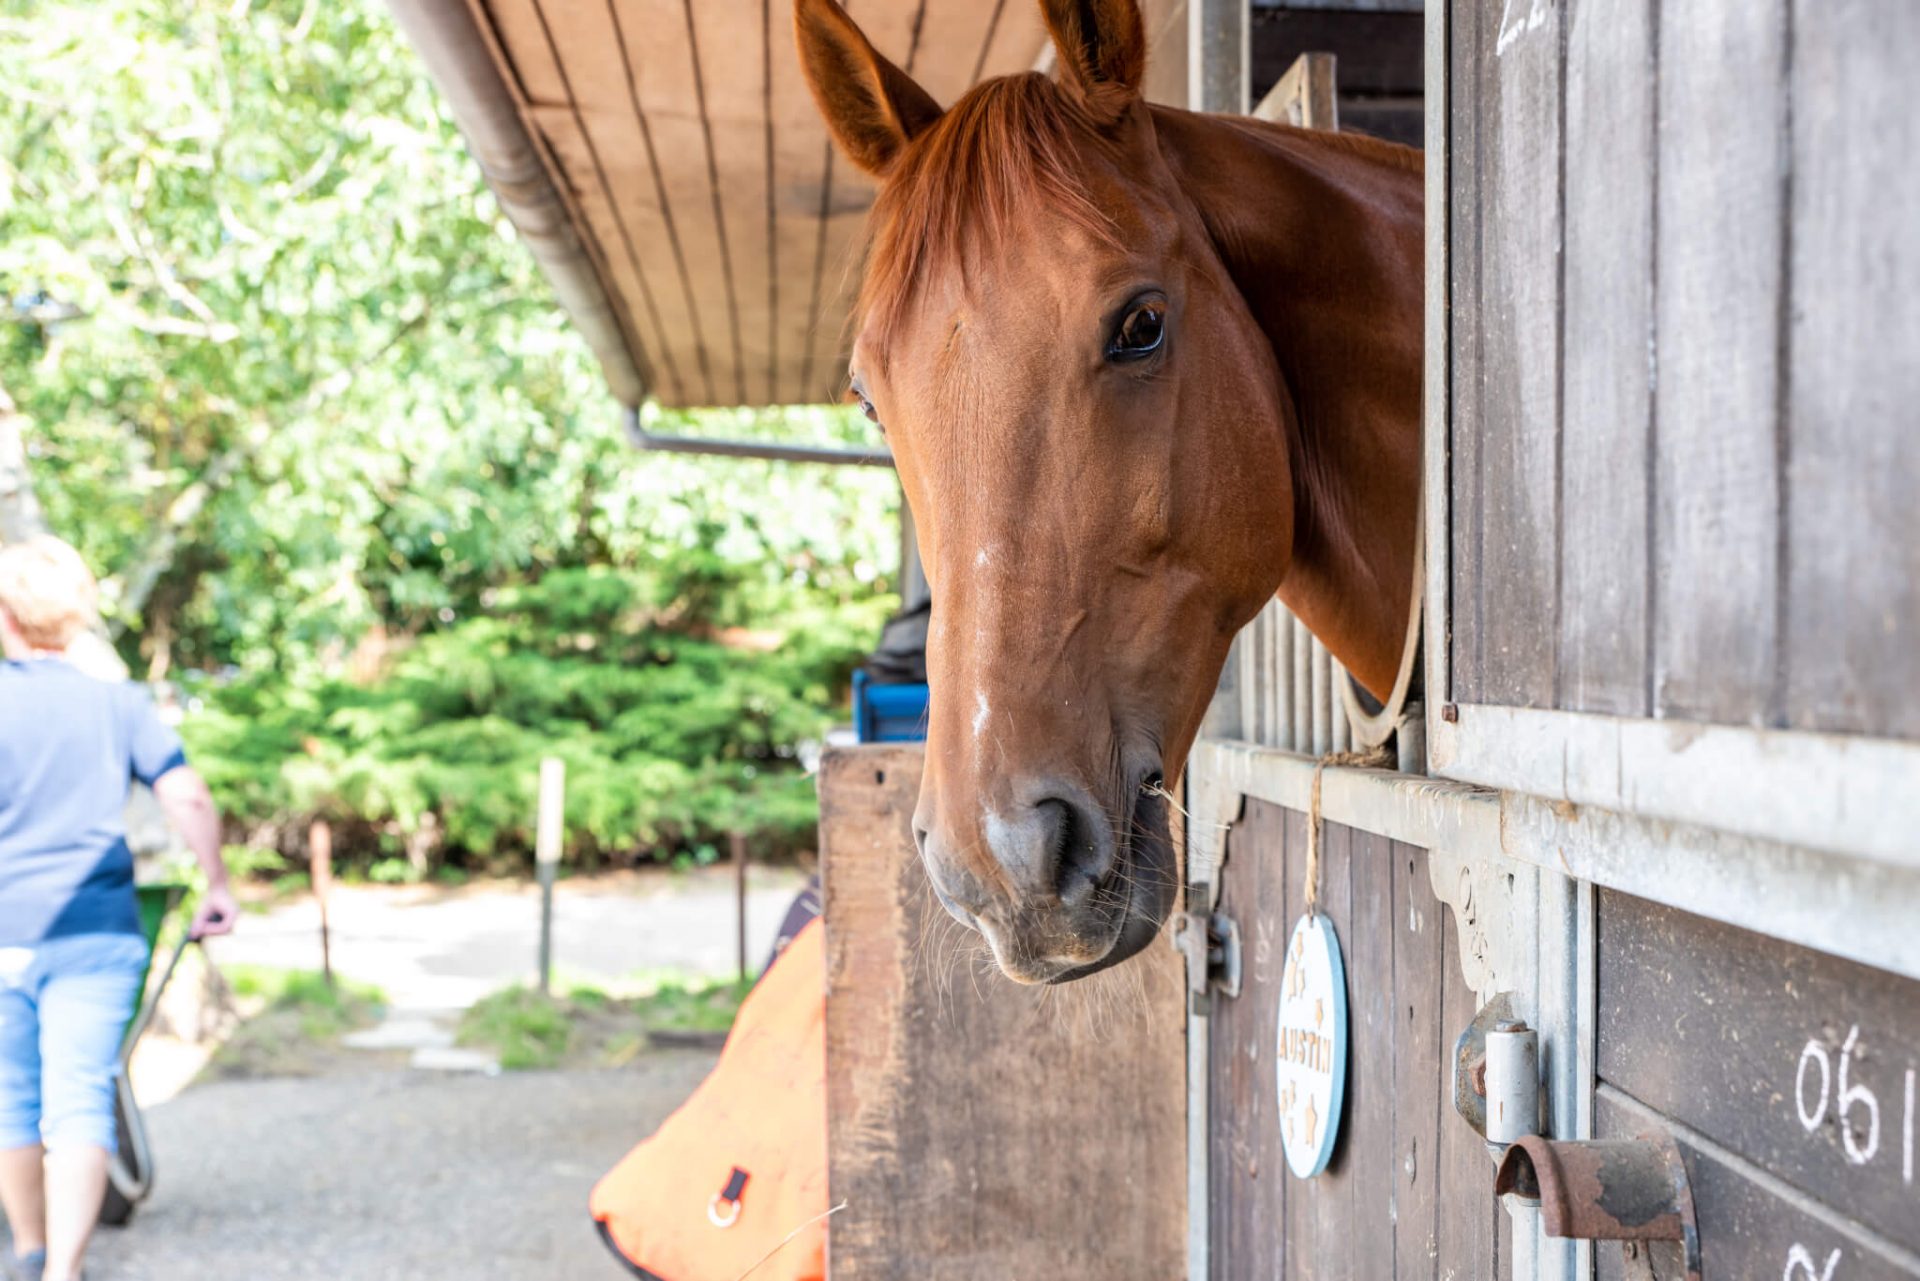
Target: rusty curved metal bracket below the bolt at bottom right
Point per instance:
(1633, 1192)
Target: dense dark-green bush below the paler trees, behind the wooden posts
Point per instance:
(673, 738)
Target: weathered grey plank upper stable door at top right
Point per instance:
(1687, 314)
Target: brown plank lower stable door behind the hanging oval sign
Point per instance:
(1410, 1186)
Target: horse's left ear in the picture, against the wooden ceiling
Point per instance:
(873, 109)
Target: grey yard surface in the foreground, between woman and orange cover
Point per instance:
(398, 1176)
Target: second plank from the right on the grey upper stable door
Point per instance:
(1717, 312)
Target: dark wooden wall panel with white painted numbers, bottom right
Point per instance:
(1788, 1078)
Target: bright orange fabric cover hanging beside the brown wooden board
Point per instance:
(765, 1111)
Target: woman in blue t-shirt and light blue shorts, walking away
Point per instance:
(70, 936)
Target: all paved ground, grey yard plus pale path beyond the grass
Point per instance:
(381, 1174)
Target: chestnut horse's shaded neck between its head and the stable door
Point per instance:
(1324, 239)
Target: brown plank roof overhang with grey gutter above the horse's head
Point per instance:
(665, 164)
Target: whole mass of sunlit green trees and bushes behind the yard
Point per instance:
(300, 395)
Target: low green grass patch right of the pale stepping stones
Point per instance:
(590, 1028)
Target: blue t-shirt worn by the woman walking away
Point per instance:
(68, 750)
